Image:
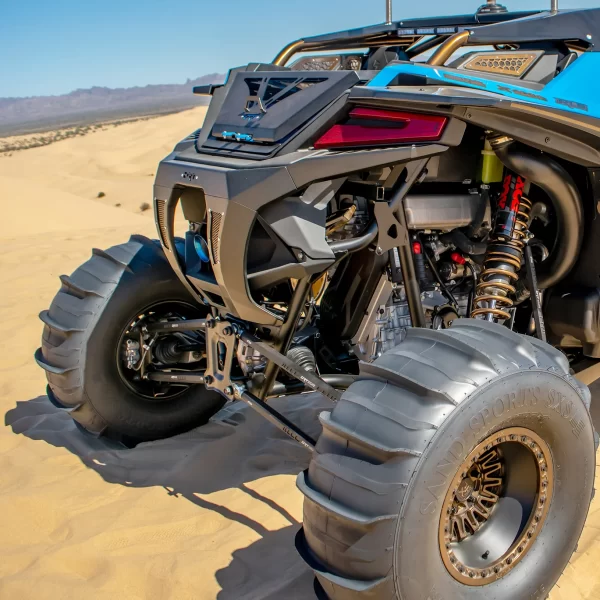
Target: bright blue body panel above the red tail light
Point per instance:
(575, 90)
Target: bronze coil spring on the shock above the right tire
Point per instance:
(500, 269)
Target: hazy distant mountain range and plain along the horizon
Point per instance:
(41, 113)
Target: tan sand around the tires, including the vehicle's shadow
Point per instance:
(209, 514)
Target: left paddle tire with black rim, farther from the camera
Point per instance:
(92, 351)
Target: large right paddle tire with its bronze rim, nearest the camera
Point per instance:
(459, 465)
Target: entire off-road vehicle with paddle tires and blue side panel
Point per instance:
(404, 218)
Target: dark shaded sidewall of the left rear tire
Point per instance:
(149, 280)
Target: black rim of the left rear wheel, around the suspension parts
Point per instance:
(143, 388)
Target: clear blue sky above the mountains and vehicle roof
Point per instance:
(56, 46)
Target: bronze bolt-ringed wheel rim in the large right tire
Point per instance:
(496, 506)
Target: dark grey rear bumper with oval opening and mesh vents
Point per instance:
(234, 191)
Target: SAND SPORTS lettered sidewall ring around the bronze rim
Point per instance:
(549, 405)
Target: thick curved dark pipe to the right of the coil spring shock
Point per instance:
(551, 177)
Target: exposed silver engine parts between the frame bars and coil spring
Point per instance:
(444, 266)
